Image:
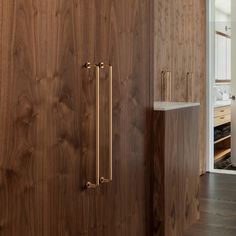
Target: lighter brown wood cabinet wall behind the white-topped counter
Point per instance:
(180, 47)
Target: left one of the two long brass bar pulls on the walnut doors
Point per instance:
(90, 184)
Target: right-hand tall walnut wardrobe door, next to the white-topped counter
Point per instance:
(123, 42)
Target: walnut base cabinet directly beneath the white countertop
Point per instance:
(176, 176)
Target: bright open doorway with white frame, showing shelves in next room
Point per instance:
(221, 86)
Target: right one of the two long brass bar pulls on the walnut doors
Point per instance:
(109, 179)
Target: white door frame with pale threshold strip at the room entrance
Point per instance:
(210, 50)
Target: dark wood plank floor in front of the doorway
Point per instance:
(218, 207)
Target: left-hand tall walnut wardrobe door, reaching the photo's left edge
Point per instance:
(47, 122)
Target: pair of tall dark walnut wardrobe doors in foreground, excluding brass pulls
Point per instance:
(47, 107)
